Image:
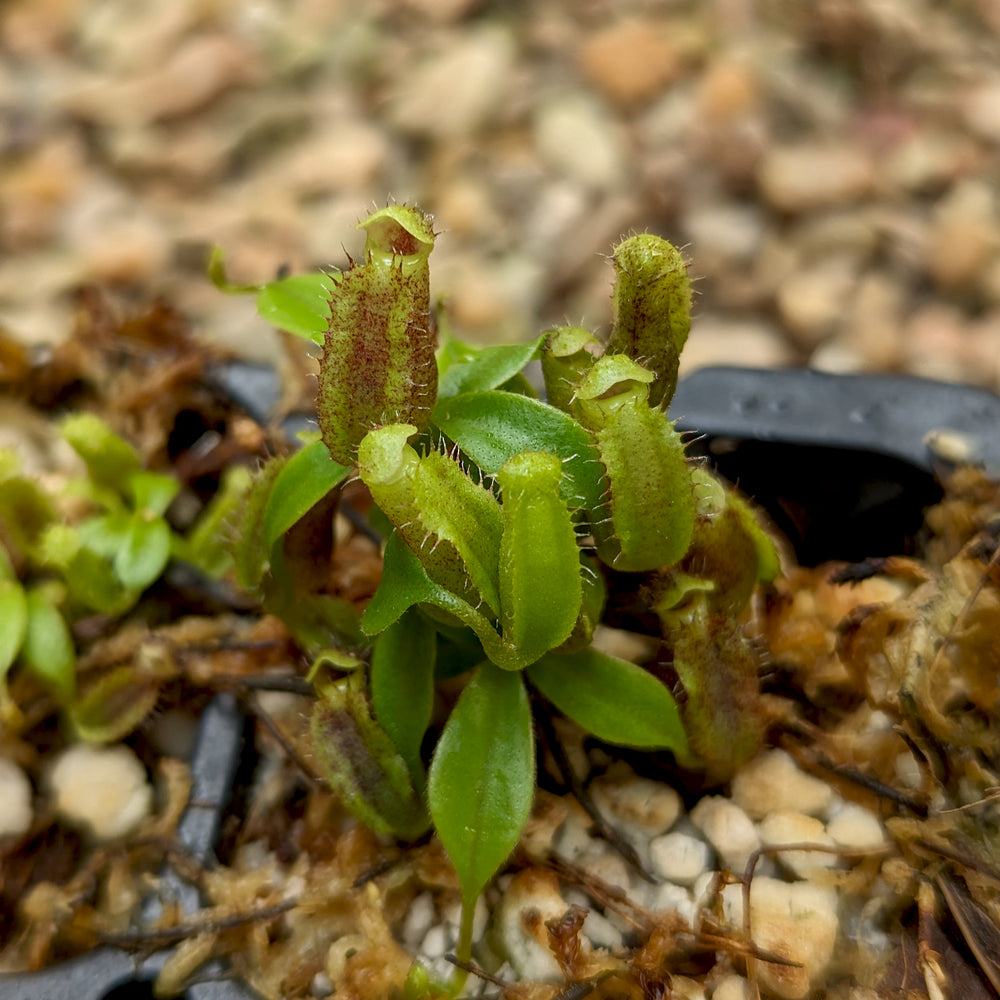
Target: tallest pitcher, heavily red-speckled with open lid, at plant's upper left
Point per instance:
(378, 361)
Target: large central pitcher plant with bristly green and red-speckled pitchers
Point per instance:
(512, 524)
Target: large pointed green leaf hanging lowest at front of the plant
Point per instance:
(482, 777)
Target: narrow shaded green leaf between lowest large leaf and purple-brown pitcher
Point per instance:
(402, 683)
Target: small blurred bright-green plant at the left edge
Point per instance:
(54, 571)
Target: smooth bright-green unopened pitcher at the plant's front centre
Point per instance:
(540, 587)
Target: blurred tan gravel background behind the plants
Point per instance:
(830, 167)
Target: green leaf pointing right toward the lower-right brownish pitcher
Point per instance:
(615, 700)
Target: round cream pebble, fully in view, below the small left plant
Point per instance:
(101, 790)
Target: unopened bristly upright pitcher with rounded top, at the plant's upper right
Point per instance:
(652, 309)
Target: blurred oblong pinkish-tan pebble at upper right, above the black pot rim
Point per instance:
(804, 177)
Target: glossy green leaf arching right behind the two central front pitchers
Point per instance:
(492, 427)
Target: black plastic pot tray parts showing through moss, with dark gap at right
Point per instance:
(807, 446)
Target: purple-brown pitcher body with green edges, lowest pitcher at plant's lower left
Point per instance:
(362, 765)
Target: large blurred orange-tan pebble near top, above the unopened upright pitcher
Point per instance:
(630, 61)
